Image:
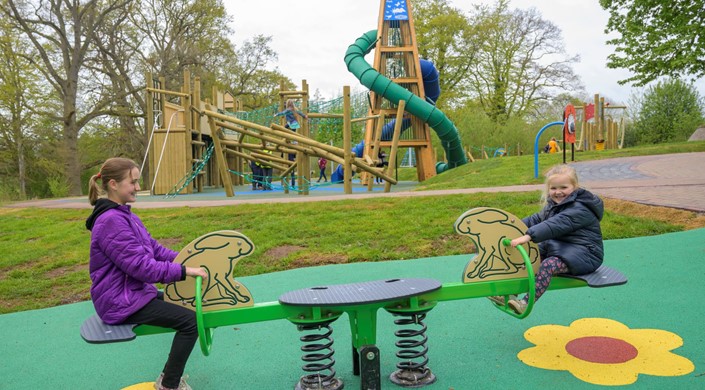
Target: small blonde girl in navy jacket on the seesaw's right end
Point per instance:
(567, 232)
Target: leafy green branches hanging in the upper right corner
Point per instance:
(658, 38)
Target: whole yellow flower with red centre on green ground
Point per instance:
(605, 352)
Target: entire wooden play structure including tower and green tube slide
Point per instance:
(194, 143)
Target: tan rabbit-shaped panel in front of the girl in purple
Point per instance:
(218, 252)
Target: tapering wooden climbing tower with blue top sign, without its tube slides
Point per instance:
(397, 57)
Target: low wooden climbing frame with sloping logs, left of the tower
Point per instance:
(185, 134)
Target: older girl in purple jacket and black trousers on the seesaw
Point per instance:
(125, 261)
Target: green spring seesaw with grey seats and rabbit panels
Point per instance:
(497, 269)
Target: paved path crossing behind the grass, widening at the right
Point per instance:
(670, 180)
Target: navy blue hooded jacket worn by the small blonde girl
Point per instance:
(570, 231)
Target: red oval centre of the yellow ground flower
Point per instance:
(605, 350)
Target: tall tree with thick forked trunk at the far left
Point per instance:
(63, 33)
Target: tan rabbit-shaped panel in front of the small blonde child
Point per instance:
(487, 227)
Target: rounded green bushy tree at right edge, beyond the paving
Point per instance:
(670, 111)
